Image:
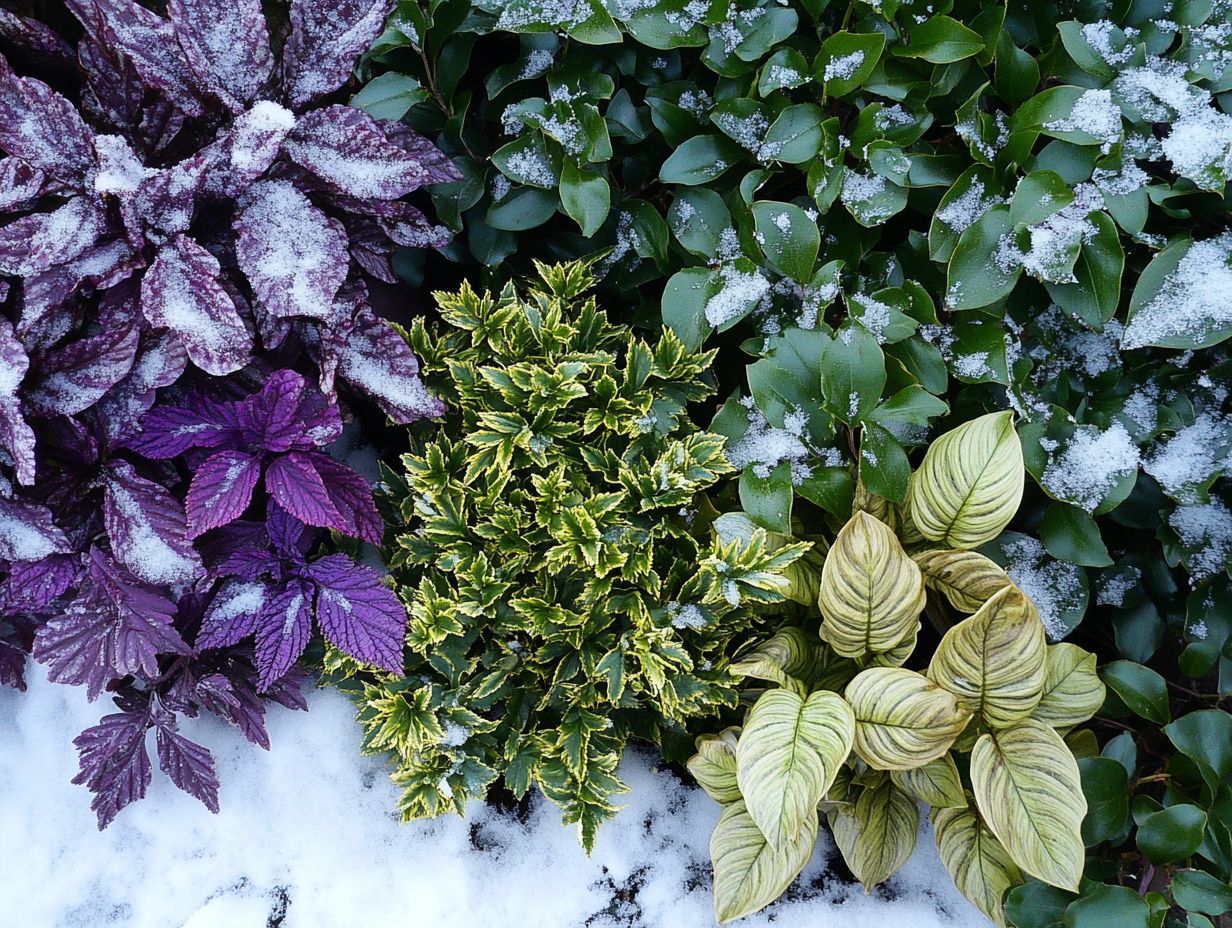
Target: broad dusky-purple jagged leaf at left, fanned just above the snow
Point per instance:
(115, 628)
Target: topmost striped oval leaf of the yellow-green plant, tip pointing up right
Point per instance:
(970, 484)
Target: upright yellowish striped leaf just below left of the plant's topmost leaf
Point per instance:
(872, 591)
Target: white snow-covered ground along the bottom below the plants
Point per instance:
(307, 834)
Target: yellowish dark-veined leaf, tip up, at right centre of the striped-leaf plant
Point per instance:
(994, 661)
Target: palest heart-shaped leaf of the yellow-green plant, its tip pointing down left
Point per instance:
(788, 756)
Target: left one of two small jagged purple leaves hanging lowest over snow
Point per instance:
(114, 763)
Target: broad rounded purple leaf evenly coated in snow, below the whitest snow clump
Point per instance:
(294, 256)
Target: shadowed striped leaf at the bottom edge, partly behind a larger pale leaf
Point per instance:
(978, 862)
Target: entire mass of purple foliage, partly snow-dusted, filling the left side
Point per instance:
(188, 237)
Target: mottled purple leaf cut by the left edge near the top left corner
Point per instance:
(43, 129)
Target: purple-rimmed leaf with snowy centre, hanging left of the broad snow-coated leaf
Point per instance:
(182, 293)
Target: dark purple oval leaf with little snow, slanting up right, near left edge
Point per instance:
(73, 379)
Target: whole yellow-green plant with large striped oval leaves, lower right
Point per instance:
(848, 731)
